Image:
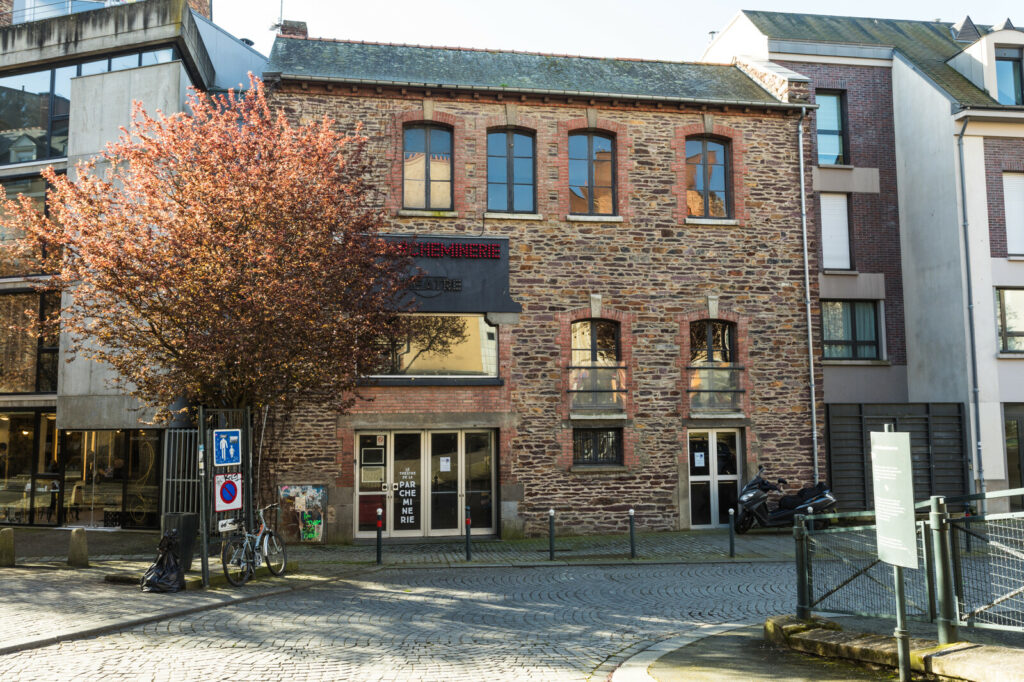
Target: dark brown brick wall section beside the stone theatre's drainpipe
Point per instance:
(874, 218)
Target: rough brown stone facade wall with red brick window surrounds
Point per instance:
(654, 272)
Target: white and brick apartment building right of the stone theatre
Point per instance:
(919, 204)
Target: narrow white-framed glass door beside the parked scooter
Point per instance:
(714, 460)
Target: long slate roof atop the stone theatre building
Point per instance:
(515, 72)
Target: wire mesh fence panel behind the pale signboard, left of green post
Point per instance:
(847, 577)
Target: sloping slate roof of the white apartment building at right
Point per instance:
(927, 45)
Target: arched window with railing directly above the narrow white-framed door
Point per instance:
(714, 385)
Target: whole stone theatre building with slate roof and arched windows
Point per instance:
(622, 241)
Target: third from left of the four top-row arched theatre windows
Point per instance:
(592, 175)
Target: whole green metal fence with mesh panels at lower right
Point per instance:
(971, 569)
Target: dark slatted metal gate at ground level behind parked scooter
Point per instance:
(938, 449)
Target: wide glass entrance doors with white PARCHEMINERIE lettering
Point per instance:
(423, 482)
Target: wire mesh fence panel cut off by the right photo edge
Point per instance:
(989, 570)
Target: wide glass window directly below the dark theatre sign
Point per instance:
(444, 347)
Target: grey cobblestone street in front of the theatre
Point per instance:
(547, 623)
